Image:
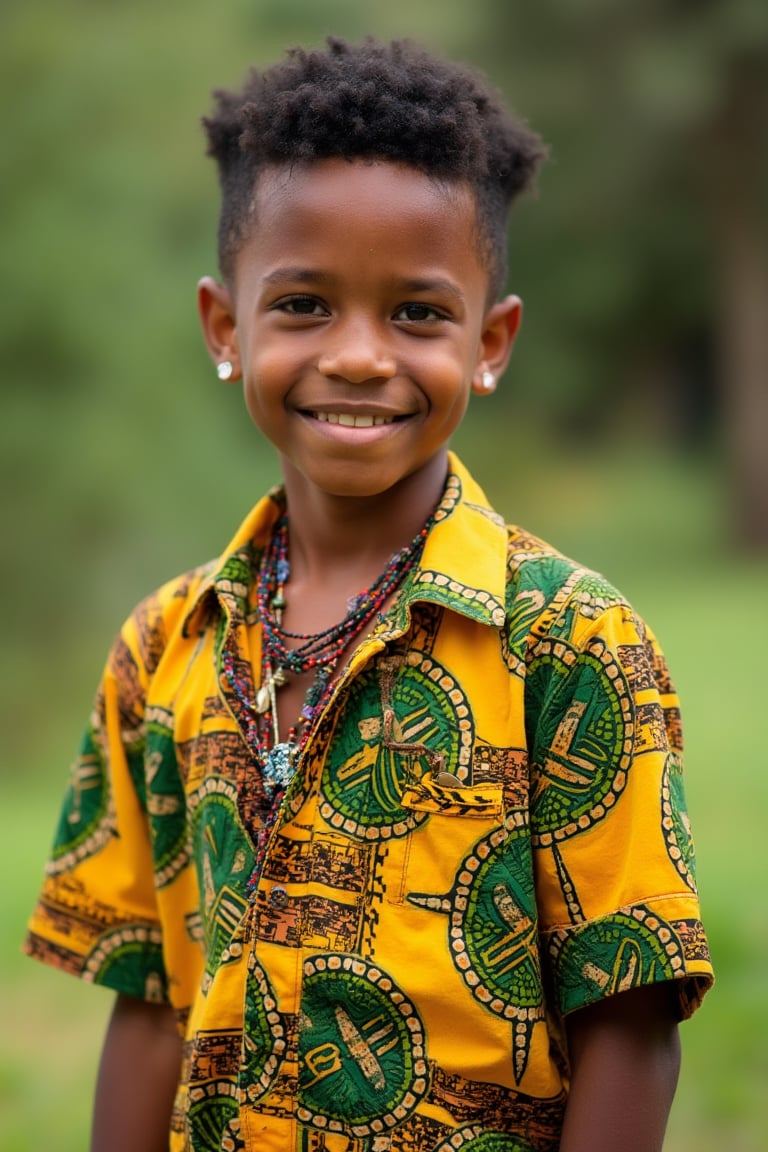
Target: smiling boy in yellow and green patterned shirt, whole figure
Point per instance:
(383, 812)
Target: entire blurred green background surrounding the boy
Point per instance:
(630, 429)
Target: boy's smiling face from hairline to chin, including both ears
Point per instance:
(359, 321)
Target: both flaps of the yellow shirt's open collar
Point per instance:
(463, 566)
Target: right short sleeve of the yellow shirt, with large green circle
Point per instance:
(614, 859)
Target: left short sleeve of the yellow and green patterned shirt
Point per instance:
(97, 916)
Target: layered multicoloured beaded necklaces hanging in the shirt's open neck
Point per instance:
(314, 653)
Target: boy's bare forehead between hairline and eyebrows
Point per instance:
(379, 210)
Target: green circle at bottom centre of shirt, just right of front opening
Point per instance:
(362, 1060)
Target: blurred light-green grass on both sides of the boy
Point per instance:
(710, 615)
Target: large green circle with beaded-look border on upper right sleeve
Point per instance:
(583, 740)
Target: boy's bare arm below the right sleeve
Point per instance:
(626, 1059)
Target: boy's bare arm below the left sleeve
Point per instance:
(138, 1079)
